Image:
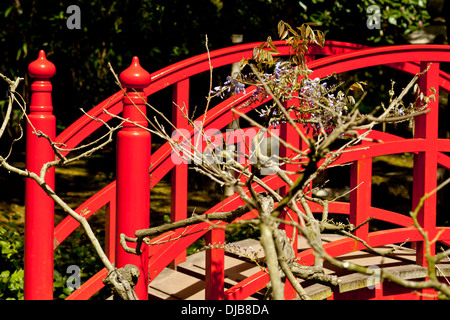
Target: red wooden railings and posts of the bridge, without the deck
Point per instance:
(340, 57)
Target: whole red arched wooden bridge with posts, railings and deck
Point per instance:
(127, 199)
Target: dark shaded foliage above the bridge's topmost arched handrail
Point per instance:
(162, 32)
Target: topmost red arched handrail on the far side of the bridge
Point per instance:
(163, 78)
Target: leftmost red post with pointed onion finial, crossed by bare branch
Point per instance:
(39, 209)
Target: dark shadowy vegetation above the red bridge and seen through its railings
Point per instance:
(163, 32)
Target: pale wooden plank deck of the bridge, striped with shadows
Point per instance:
(187, 282)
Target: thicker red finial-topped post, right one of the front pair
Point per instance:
(133, 179)
